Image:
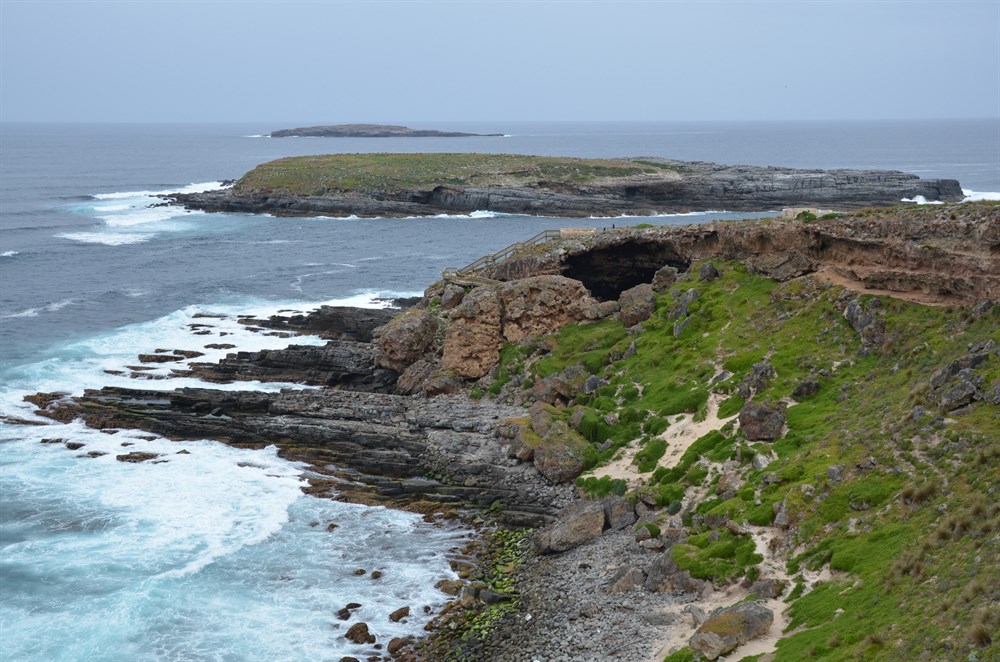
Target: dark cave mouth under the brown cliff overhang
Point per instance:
(610, 270)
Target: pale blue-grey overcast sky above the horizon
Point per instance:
(450, 61)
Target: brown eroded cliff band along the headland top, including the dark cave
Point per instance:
(927, 254)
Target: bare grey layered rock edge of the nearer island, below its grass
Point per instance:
(681, 186)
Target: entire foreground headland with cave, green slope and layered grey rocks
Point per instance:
(776, 439)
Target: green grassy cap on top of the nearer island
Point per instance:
(339, 173)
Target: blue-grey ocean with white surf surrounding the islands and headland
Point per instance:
(215, 554)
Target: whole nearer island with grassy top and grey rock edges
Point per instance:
(401, 185)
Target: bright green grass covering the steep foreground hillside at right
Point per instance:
(915, 536)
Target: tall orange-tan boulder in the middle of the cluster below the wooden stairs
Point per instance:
(472, 344)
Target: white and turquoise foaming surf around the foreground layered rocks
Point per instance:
(210, 549)
